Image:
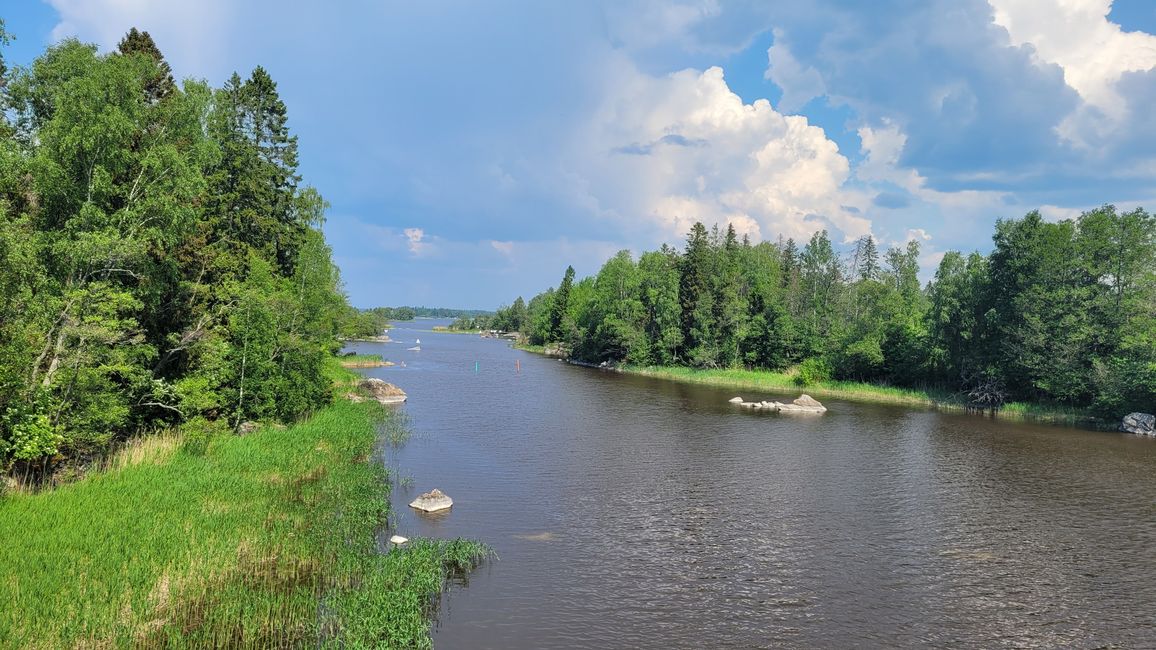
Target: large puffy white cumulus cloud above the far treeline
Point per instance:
(670, 151)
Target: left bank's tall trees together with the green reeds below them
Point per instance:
(164, 279)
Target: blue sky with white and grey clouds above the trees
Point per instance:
(471, 151)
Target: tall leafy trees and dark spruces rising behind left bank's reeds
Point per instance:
(160, 261)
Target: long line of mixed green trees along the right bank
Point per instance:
(1058, 313)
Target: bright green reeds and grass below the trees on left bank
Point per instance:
(256, 542)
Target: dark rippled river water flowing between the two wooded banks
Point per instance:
(632, 513)
